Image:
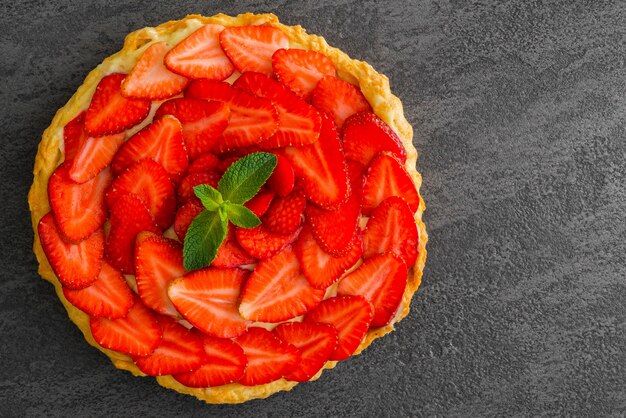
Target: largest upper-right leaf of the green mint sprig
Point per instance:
(244, 177)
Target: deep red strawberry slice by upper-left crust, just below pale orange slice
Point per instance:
(109, 112)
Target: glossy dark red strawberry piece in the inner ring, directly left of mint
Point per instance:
(129, 217)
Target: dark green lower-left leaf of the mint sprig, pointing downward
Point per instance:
(204, 236)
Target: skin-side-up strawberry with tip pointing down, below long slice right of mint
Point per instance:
(334, 229)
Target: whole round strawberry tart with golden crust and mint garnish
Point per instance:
(230, 205)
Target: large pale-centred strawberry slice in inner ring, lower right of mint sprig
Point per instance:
(277, 290)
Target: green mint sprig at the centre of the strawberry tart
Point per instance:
(240, 183)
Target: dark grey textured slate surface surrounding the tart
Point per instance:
(519, 115)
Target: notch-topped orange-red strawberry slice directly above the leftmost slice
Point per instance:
(78, 208)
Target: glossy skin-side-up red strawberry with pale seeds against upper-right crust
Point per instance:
(364, 135)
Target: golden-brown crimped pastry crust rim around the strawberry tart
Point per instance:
(374, 86)
